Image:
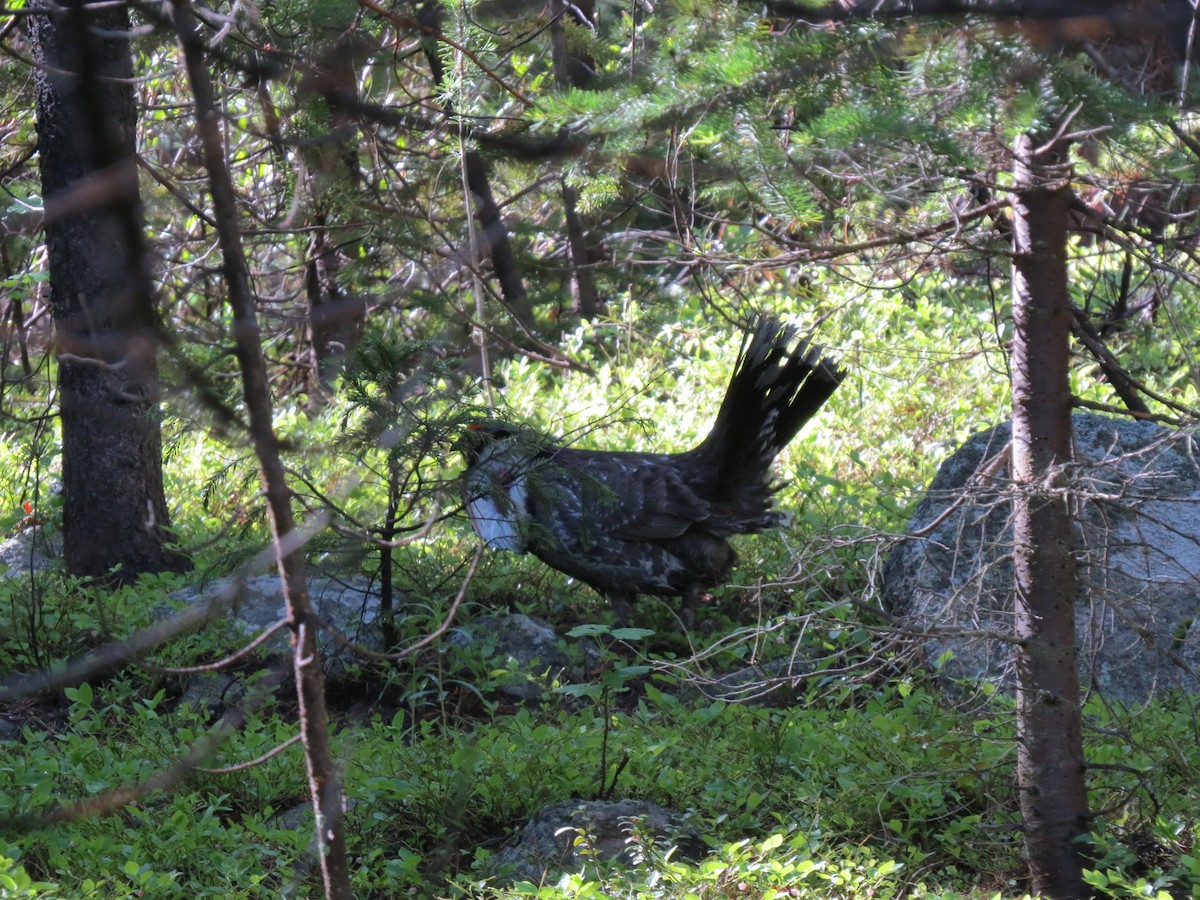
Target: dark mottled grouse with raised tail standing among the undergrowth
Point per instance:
(632, 524)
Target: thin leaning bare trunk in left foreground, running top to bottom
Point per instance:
(323, 783)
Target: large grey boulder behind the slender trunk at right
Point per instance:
(1137, 490)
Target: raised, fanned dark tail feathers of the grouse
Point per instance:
(776, 389)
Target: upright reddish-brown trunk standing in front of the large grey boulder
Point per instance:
(1051, 749)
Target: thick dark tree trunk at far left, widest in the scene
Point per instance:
(115, 511)
